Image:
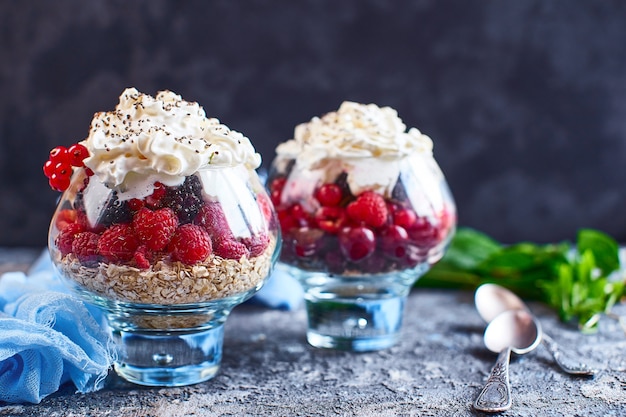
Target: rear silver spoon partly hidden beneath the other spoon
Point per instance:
(492, 299)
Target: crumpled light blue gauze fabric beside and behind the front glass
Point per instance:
(49, 337)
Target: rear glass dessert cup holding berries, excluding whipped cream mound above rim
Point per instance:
(357, 254)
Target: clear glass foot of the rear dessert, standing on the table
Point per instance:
(354, 324)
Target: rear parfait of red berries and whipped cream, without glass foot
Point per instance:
(358, 194)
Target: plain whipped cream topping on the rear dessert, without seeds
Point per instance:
(364, 140)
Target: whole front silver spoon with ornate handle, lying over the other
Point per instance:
(512, 330)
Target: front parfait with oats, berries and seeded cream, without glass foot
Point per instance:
(161, 205)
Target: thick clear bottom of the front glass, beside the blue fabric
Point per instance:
(168, 359)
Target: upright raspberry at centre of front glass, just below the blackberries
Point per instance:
(155, 228)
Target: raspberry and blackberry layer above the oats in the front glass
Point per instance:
(174, 223)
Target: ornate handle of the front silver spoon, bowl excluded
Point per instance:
(496, 395)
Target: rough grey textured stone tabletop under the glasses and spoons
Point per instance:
(437, 370)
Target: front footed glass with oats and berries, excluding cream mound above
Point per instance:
(166, 264)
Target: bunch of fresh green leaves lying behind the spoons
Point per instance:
(575, 280)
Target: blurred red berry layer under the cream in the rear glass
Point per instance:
(348, 234)
